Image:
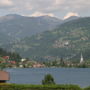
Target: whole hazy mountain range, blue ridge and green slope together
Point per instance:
(46, 37)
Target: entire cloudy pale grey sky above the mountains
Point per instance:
(58, 8)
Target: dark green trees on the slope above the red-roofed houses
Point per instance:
(12, 55)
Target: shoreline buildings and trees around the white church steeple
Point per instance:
(69, 63)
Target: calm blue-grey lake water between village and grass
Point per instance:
(77, 76)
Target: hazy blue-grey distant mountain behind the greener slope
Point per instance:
(18, 27)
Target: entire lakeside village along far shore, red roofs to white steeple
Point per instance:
(5, 62)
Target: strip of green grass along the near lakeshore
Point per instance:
(40, 87)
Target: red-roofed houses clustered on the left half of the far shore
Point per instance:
(23, 63)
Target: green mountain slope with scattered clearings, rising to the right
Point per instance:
(67, 41)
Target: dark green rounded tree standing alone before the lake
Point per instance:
(48, 80)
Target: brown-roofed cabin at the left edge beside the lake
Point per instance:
(4, 76)
